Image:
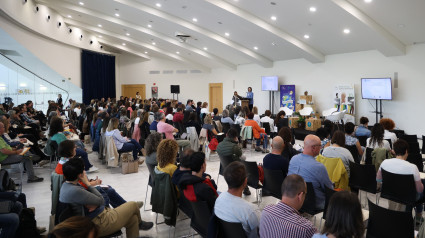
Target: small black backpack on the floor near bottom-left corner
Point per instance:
(27, 225)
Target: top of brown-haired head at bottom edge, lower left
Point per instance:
(76, 227)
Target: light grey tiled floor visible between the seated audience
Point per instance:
(132, 187)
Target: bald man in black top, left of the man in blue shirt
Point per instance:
(275, 160)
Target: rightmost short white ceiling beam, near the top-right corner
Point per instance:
(393, 48)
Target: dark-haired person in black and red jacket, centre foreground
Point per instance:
(194, 185)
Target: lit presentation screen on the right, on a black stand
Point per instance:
(376, 88)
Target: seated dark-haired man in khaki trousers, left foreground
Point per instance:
(90, 203)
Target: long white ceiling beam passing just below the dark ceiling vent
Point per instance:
(128, 25)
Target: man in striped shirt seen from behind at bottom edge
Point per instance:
(283, 218)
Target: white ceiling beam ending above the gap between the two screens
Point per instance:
(313, 55)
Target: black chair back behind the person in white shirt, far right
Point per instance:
(399, 188)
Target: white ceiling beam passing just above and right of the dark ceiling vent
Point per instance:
(259, 59)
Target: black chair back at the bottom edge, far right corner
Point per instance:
(388, 223)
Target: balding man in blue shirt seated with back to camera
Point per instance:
(312, 171)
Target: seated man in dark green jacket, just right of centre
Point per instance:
(229, 148)
